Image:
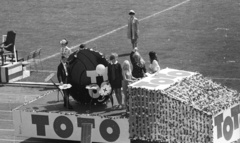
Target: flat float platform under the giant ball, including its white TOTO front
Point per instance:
(46, 117)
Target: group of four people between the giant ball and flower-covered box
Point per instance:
(121, 75)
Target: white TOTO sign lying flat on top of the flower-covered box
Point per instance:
(162, 80)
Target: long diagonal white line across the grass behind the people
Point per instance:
(172, 7)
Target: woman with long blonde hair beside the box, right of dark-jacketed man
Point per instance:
(127, 78)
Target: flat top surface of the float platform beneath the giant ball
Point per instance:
(49, 103)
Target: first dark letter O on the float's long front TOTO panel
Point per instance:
(57, 127)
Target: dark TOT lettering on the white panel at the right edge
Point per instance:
(226, 126)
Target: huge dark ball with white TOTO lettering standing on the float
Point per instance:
(88, 76)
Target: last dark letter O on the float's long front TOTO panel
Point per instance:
(110, 137)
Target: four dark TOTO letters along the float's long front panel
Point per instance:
(43, 120)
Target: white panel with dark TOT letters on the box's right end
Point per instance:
(226, 125)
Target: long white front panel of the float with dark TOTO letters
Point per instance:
(69, 127)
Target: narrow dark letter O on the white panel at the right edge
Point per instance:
(228, 122)
